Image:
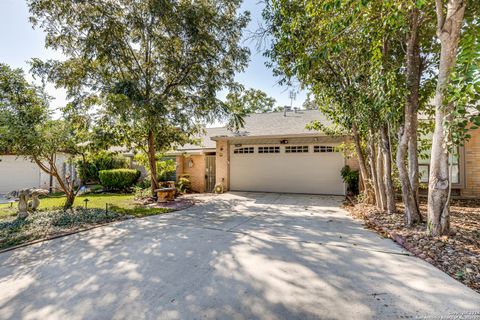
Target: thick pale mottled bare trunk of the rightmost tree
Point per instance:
(448, 31)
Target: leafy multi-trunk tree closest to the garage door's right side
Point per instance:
(338, 70)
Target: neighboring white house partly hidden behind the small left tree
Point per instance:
(17, 173)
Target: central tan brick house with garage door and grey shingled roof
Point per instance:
(274, 152)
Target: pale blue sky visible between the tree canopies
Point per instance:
(19, 42)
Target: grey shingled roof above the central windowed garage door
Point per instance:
(264, 125)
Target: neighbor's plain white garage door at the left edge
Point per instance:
(18, 173)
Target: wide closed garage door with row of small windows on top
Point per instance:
(311, 169)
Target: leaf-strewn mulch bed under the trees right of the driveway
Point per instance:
(457, 254)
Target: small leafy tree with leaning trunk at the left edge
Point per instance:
(28, 131)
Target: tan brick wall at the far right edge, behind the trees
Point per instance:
(472, 166)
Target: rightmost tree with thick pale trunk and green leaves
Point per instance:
(452, 17)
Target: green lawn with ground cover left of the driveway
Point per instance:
(51, 220)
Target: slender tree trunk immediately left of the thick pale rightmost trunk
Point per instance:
(407, 131)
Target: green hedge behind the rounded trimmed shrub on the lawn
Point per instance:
(89, 167)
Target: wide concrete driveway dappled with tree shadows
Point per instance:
(233, 256)
